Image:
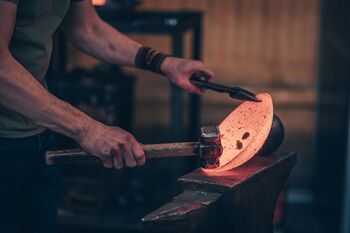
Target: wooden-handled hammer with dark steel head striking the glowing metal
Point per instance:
(209, 149)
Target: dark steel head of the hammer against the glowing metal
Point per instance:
(210, 148)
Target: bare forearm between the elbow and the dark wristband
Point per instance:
(105, 43)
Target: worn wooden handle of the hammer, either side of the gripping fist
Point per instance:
(152, 151)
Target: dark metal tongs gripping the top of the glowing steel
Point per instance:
(200, 79)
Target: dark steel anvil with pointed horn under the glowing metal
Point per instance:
(241, 200)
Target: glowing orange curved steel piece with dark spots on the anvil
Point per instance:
(244, 132)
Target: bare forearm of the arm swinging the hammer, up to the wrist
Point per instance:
(22, 93)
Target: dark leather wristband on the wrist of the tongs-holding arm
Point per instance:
(149, 59)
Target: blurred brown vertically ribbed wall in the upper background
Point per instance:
(269, 42)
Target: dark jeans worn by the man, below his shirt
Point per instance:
(28, 187)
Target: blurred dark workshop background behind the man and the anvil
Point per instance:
(296, 50)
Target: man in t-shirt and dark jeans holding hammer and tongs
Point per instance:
(28, 112)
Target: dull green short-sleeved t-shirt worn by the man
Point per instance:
(31, 46)
